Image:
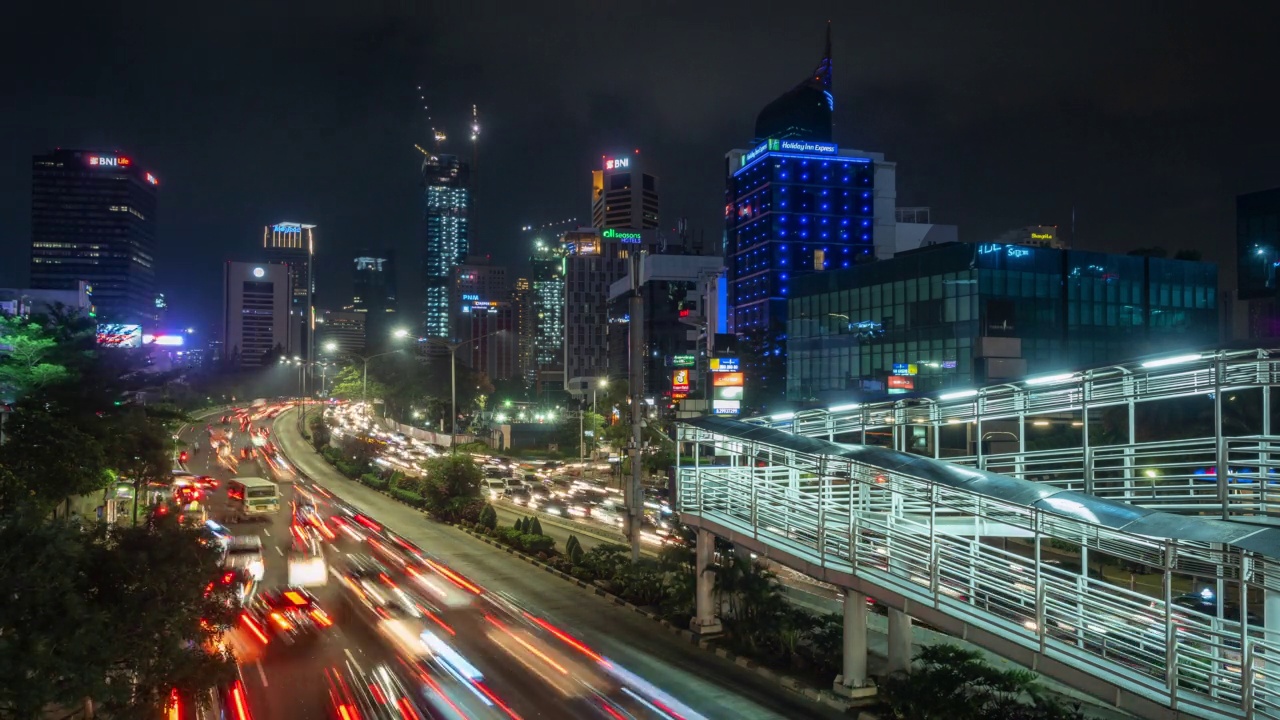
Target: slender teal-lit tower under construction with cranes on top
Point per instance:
(447, 207)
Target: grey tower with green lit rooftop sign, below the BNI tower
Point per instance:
(595, 261)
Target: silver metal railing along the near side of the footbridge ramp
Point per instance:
(889, 530)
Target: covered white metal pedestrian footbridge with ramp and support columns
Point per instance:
(1005, 562)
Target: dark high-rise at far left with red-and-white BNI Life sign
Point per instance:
(94, 220)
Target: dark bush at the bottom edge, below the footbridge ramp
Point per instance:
(949, 682)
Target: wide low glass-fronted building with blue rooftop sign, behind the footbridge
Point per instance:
(926, 315)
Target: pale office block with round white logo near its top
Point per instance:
(257, 304)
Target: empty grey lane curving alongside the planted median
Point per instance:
(711, 686)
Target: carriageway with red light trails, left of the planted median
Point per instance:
(523, 642)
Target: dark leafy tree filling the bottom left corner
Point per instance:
(108, 613)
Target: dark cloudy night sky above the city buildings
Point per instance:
(1148, 119)
